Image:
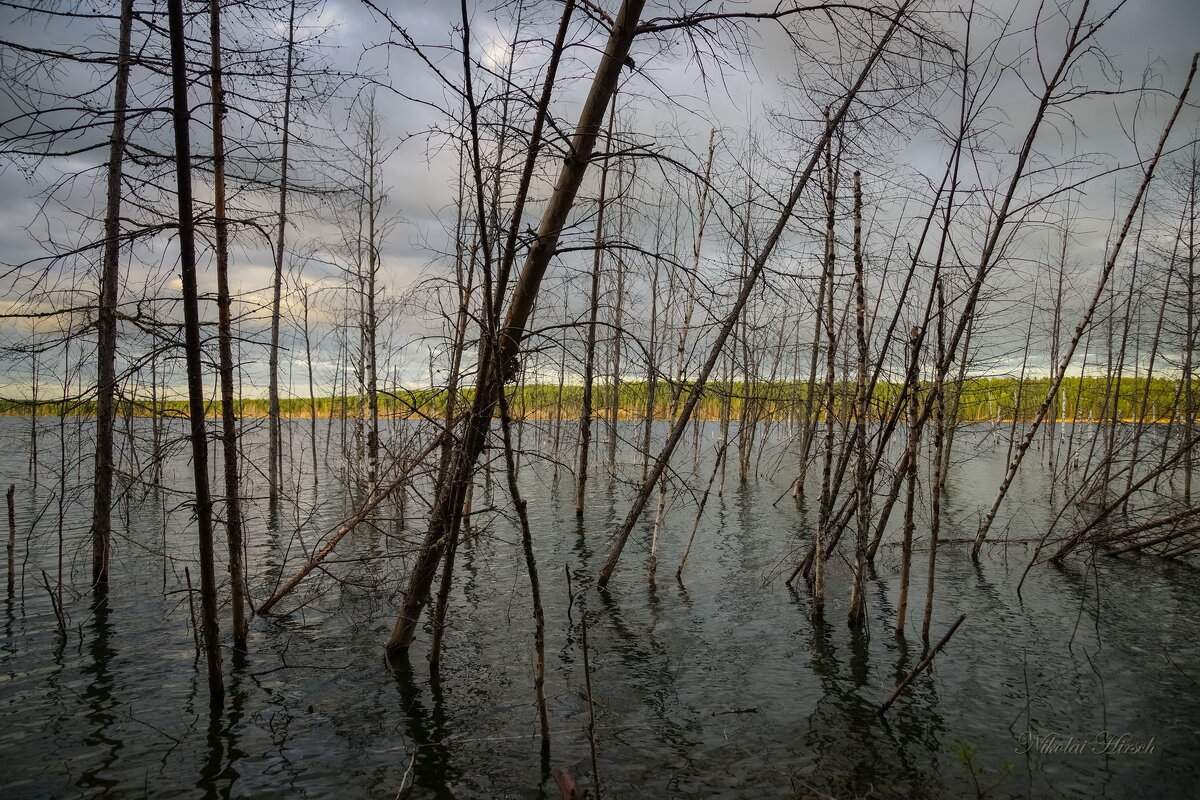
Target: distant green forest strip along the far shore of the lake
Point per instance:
(982, 399)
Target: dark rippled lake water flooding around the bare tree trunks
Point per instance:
(719, 687)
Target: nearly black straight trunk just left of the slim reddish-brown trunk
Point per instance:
(193, 348)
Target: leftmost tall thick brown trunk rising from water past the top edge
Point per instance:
(106, 322)
